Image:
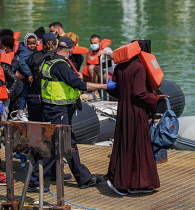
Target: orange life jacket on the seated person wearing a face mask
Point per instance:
(92, 58)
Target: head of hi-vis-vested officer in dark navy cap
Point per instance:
(65, 46)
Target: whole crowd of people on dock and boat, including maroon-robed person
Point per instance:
(44, 80)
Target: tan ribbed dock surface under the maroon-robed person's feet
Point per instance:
(177, 189)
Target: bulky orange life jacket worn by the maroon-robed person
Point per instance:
(153, 70)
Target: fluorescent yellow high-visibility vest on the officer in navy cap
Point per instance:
(54, 91)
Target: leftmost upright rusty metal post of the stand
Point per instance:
(9, 168)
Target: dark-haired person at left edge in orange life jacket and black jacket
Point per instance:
(6, 47)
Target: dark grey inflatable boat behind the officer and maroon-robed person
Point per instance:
(96, 122)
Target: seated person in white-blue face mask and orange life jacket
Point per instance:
(91, 70)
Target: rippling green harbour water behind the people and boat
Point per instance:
(168, 24)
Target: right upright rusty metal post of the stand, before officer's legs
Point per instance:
(60, 131)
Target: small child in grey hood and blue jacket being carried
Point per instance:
(25, 50)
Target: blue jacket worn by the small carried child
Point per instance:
(24, 53)
